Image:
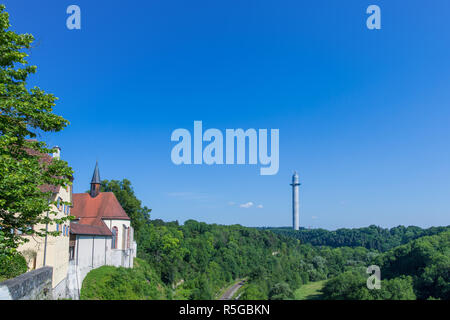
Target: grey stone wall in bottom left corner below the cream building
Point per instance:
(33, 285)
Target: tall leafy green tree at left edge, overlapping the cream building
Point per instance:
(24, 114)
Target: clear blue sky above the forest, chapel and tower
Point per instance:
(363, 115)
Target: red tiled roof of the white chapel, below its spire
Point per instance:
(90, 213)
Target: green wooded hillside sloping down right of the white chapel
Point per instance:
(196, 260)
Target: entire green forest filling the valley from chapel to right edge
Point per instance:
(198, 260)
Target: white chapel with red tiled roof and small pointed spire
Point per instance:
(100, 235)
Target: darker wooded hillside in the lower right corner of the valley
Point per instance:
(419, 269)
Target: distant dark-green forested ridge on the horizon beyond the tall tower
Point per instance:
(372, 237)
